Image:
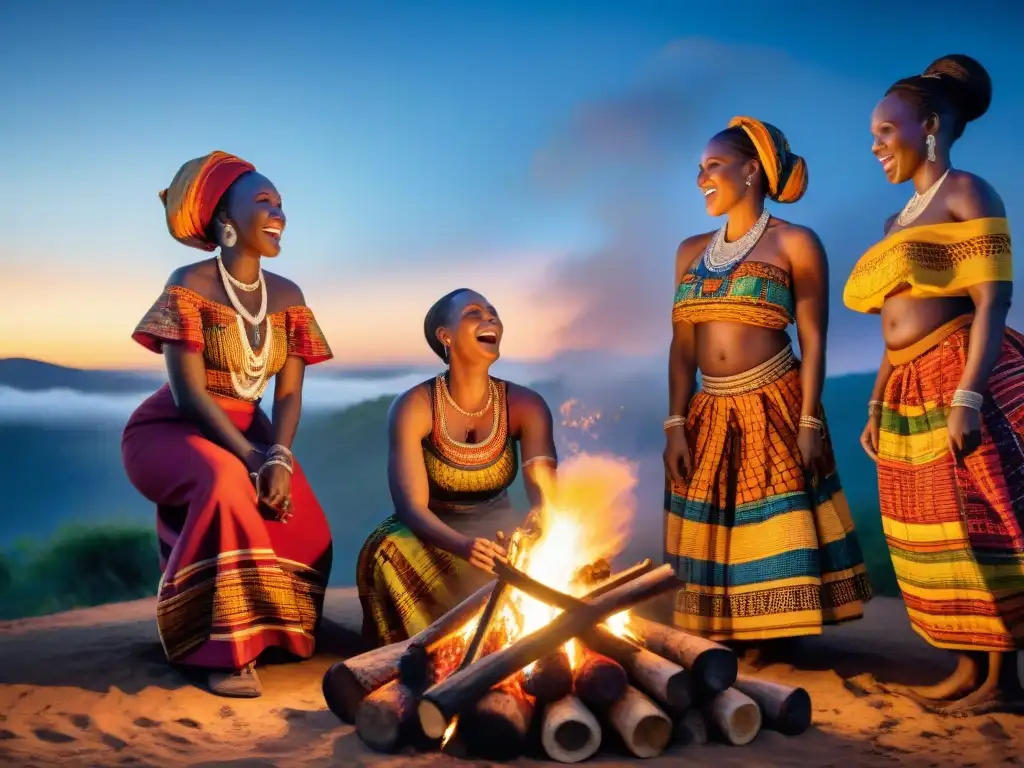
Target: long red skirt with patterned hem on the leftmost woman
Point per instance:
(234, 582)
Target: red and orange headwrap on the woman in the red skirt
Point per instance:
(194, 193)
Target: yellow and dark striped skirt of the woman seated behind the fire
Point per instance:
(405, 584)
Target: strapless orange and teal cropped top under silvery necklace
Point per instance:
(753, 292)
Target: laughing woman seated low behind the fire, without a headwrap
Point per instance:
(452, 458)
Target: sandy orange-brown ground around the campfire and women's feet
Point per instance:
(92, 689)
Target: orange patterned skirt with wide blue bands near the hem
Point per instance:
(765, 549)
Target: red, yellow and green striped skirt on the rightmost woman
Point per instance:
(955, 530)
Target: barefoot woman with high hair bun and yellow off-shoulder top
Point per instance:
(947, 418)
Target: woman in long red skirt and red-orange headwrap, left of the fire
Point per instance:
(245, 548)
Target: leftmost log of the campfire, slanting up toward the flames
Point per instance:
(348, 684)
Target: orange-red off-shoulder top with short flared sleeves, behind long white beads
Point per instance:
(184, 317)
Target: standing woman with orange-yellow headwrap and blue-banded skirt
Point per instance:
(757, 525)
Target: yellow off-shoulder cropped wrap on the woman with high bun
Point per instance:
(934, 261)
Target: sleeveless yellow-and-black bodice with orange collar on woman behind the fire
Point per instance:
(462, 474)
